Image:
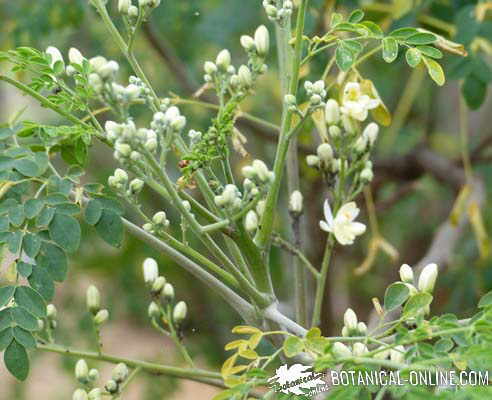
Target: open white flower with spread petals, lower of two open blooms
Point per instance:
(343, 226)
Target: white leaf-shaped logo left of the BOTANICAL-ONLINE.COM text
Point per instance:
(296, 379)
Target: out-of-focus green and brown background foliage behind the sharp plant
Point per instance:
(176, 41)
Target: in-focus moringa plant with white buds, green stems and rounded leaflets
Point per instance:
(217, 224)
